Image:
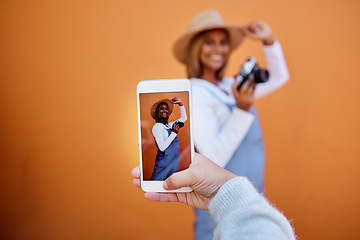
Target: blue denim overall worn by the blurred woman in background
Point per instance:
(249, 161)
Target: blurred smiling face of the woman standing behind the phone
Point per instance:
(215, 51)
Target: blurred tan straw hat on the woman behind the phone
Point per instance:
(206, 20)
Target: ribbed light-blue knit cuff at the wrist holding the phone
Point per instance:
(236, 193)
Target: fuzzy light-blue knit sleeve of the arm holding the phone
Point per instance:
(240, 212)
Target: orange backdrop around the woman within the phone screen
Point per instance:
(149, 149)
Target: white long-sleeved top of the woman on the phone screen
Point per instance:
(159, 130)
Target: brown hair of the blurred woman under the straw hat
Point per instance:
(193, 63)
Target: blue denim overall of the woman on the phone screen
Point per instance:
(167, 161)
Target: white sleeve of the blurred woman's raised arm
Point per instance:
(277, 68)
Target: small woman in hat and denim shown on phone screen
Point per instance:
(166, 139)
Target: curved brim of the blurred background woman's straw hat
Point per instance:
(180, 48)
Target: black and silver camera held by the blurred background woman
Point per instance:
(251, 71)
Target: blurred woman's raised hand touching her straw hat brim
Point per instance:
(259, 30)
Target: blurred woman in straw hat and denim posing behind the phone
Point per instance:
(226, 126)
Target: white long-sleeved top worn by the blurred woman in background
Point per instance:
(218, 130)
